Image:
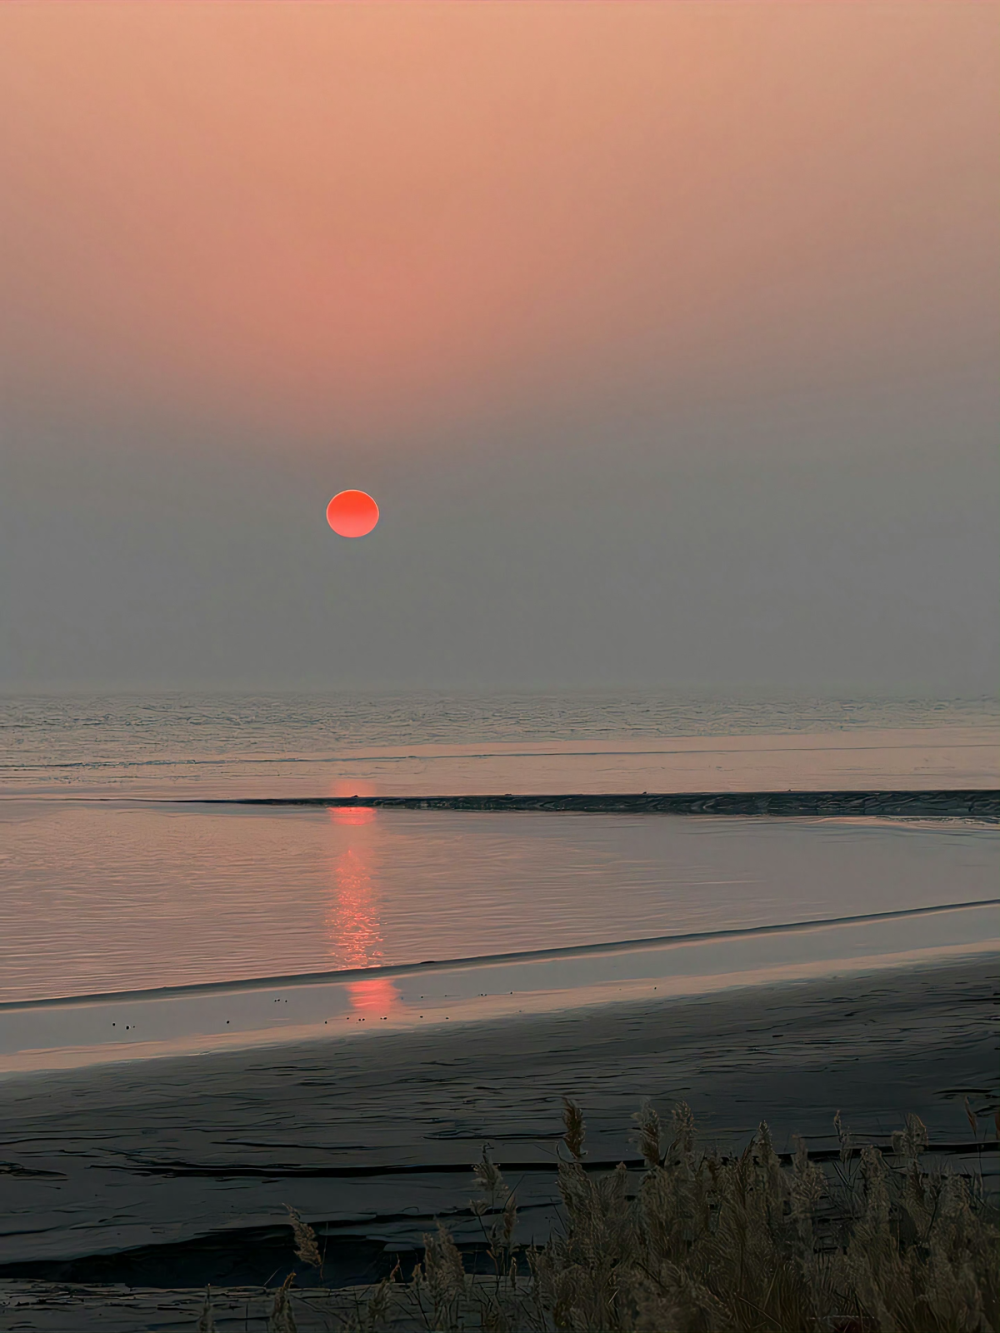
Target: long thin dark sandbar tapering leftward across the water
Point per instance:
(977, 803)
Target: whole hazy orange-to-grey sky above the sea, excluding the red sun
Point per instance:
(666, 337)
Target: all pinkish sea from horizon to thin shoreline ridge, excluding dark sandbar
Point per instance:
(114, 875)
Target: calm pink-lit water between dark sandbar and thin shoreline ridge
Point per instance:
(113, 898)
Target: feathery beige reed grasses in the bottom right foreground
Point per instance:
(699, 1243)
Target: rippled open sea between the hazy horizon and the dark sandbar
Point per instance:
(278, 746)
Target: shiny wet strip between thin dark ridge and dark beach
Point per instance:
(145, 1028)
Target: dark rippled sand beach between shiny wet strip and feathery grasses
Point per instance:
(173, 1172)
